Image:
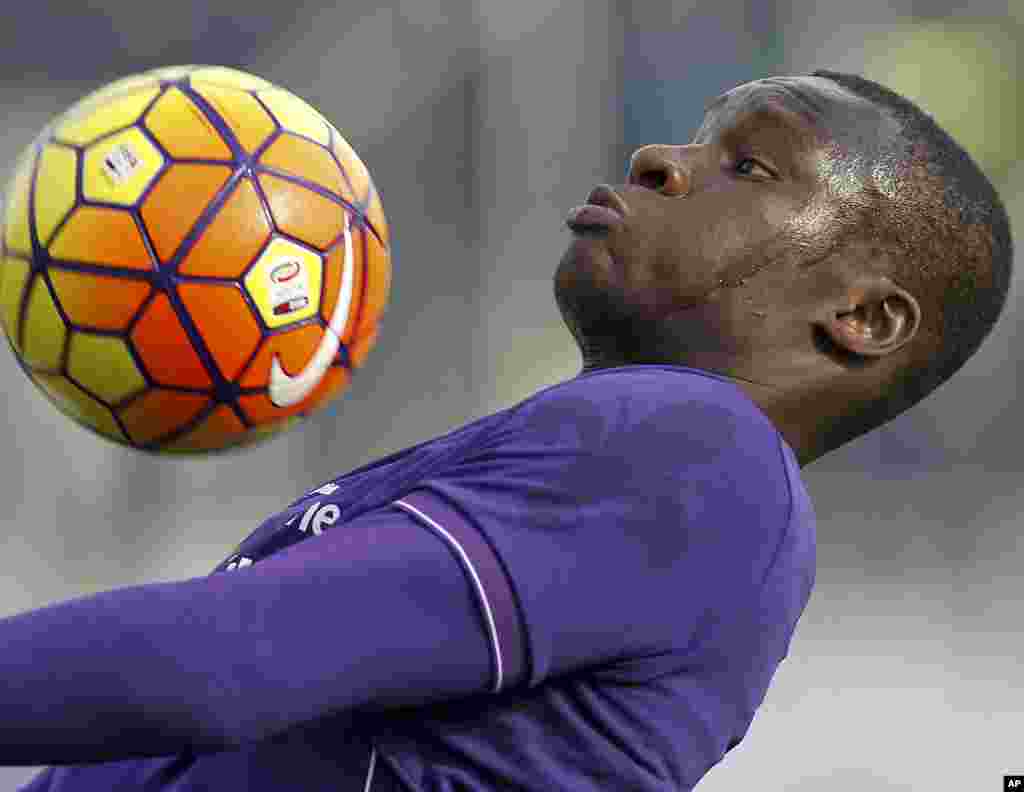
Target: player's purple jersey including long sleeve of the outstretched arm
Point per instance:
(589, 591)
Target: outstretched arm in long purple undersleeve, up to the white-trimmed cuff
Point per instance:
(376, 612)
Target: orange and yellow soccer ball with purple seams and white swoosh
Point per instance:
(193, 260)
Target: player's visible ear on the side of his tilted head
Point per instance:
(877, 319)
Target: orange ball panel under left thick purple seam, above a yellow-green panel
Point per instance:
(100, 302)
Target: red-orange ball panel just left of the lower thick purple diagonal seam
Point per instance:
(165, 349)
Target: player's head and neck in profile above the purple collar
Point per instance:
(822, 240)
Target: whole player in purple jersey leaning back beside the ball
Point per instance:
(592, 590)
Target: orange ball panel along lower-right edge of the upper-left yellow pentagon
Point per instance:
(167, 217)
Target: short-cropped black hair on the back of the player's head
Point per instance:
(954, 237)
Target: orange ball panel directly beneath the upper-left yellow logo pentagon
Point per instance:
(101, 236)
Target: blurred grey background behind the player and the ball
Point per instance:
(483, 122)
